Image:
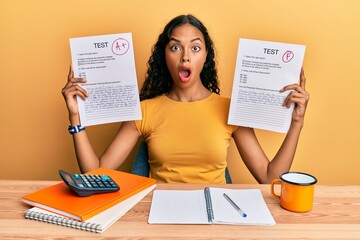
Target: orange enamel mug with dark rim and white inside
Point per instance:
(297, 191)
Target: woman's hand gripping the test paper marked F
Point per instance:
(299, 96)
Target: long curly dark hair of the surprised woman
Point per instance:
(158, 79)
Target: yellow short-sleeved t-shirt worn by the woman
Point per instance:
(187, 141)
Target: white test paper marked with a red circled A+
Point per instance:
(107, 62)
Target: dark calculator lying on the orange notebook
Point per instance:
(86, 184)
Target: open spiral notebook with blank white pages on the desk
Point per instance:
(209, 206)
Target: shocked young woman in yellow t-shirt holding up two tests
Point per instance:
(184, 118)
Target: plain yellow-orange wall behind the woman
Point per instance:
(35, 57)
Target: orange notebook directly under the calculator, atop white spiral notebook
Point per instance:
(62, 200)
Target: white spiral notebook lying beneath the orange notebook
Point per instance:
(98, 223)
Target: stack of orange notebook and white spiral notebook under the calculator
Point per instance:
(58, 204)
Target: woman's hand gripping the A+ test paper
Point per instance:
(70, 91)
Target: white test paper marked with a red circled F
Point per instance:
(262, 69)
